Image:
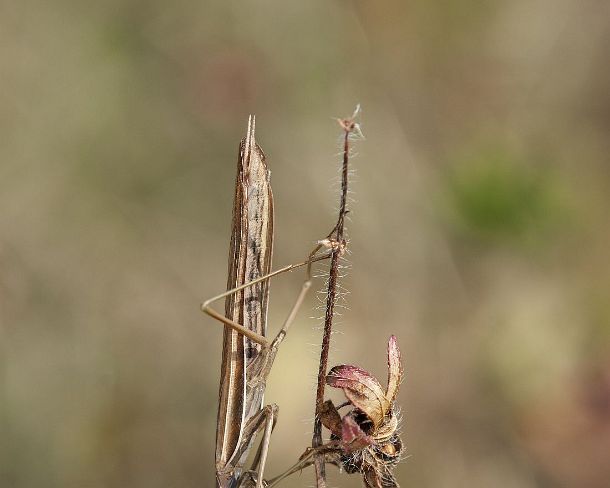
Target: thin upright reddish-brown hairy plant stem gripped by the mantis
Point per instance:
(337, 235)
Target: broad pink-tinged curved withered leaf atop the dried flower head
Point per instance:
(361, 389)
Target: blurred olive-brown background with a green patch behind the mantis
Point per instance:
(478, 233)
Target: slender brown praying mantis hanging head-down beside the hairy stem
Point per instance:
(247, 354)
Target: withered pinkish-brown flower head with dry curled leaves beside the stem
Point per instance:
(367, 435)
